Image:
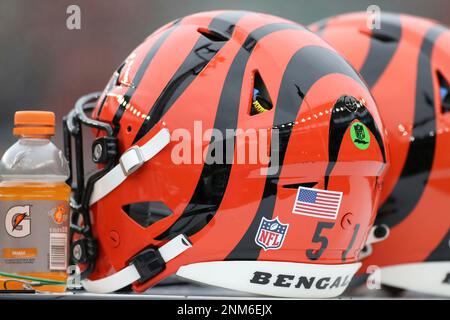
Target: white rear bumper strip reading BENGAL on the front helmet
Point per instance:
(274, 278)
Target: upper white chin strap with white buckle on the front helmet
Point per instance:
(130, 161)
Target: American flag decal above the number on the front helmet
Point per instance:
(317, 203)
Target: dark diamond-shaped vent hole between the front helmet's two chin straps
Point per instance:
(147, 213)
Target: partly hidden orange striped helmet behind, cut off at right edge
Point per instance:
(406, 63)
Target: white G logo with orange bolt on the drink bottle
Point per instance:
(18, 221)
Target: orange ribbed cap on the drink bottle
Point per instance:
(34, 123)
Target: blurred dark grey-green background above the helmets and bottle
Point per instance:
(45, 66)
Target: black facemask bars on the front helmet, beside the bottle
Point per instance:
(84, 248)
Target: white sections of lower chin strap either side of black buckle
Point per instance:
(130, 274)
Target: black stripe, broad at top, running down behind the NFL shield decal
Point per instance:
(297, 80)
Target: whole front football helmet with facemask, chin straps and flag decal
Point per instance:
(173, 194)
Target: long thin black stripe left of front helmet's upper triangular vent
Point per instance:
(214, 178)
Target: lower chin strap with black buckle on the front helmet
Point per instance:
(142, 267)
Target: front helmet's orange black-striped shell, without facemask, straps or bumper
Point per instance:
(203, 68)
